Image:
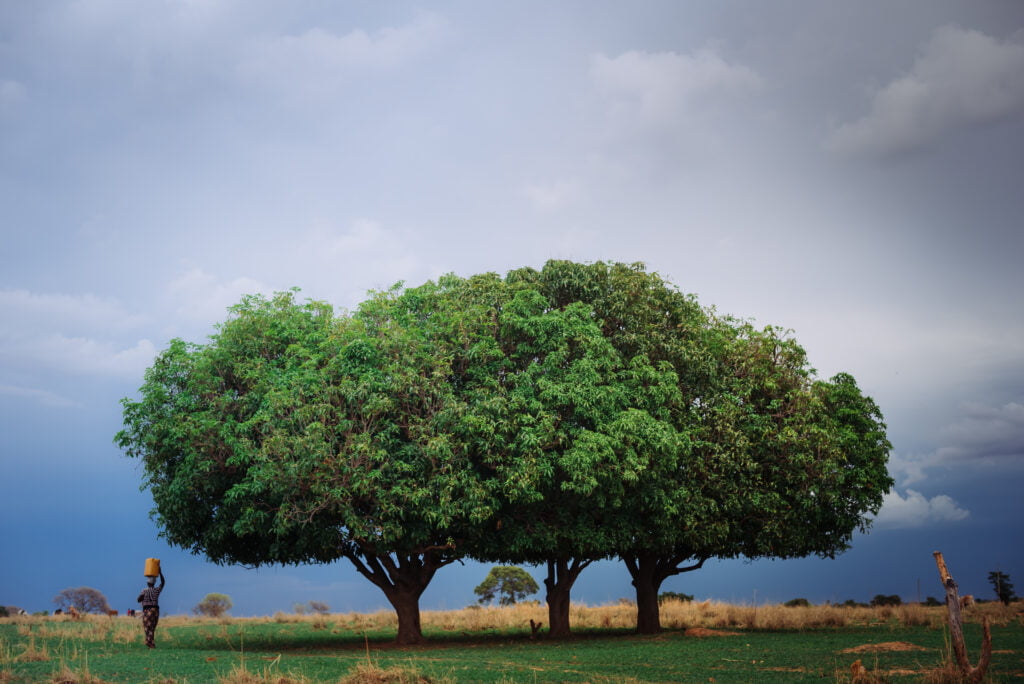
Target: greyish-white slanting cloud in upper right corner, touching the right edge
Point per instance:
(963, 78)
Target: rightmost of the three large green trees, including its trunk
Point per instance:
(778, 464)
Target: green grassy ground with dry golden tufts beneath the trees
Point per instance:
(703, 643)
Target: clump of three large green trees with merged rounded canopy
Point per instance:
(557, 416)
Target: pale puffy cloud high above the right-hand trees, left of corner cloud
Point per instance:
(659, 88)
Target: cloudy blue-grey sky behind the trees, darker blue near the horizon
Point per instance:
(851, 172)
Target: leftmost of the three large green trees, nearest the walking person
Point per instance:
(295, 436)
